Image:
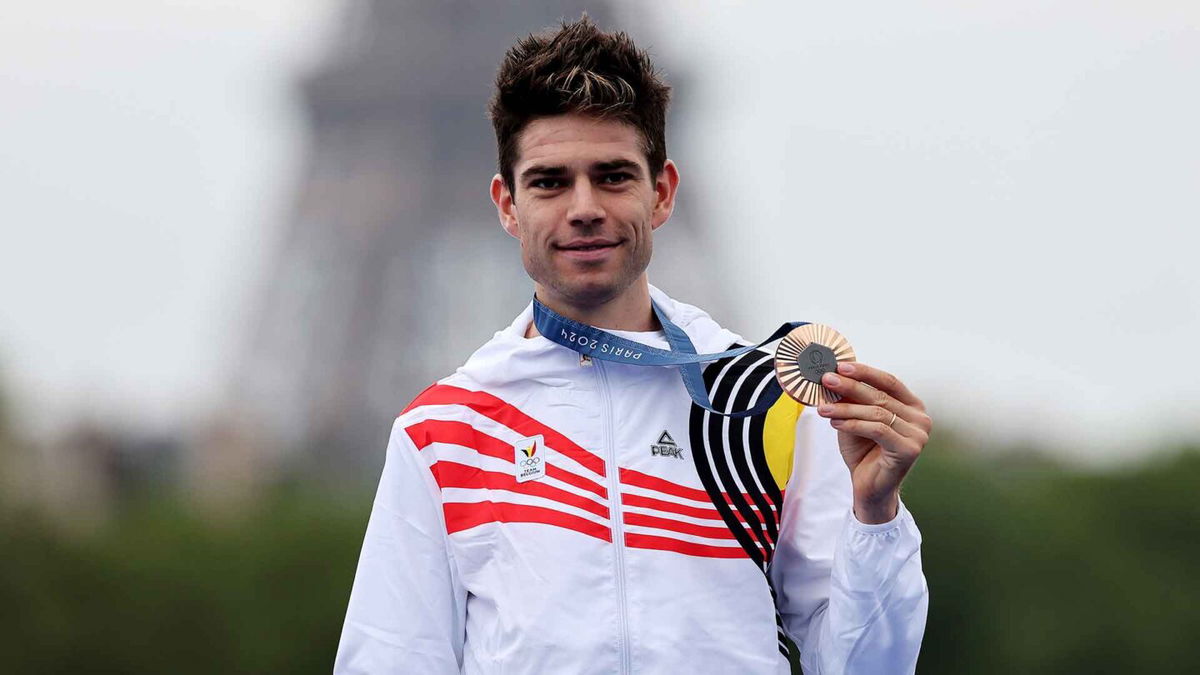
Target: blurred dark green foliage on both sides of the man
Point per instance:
(1033, 568)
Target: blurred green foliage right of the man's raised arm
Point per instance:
(1039, 569)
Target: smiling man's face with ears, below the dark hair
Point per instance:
(584, 206)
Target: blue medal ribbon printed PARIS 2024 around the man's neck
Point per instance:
(602, 345)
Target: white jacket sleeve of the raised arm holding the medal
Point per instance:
(853, 596)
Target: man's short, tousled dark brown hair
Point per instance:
(579, 69)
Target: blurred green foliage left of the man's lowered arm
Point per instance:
(159, 589)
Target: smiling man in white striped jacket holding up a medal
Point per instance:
(547, 512)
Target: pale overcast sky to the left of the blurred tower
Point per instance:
(147, 151)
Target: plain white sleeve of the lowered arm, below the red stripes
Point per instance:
(409, 606)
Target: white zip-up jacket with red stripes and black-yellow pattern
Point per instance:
(543, 513)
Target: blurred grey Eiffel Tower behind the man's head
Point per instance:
(393, 268)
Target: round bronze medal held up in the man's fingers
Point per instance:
(806, 355)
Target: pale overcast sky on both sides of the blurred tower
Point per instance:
(999, 204)
